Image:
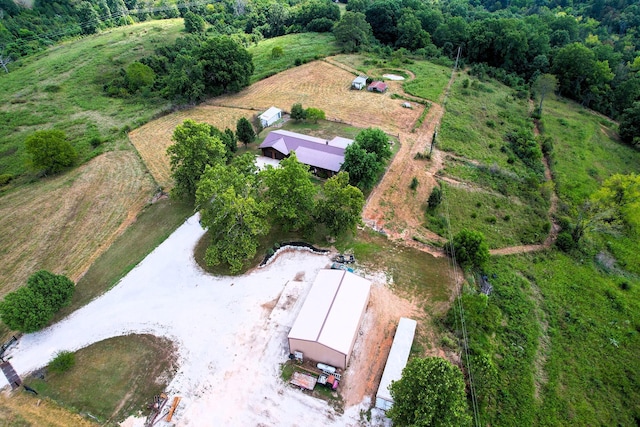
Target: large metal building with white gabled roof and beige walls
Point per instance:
(329, 321)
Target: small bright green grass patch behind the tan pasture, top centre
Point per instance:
(306, 47)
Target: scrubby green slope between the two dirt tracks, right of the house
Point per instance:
(490, 189)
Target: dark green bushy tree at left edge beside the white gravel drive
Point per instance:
(31, 307)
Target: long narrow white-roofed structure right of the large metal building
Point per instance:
(397, 360)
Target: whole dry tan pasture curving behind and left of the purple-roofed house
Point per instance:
(316, 84)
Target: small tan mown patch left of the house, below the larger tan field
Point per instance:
(152, 139)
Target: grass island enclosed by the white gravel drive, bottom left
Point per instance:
(114, 378)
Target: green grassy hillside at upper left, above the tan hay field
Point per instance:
(61, 88)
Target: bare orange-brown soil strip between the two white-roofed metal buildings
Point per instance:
(372, 347)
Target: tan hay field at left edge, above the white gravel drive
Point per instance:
(64, 223)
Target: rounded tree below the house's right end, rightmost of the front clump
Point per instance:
(340, 205)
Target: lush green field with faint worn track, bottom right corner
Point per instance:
(562, 338)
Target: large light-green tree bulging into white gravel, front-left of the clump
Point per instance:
(232, 214)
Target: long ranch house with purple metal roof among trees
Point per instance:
(324, 157)
